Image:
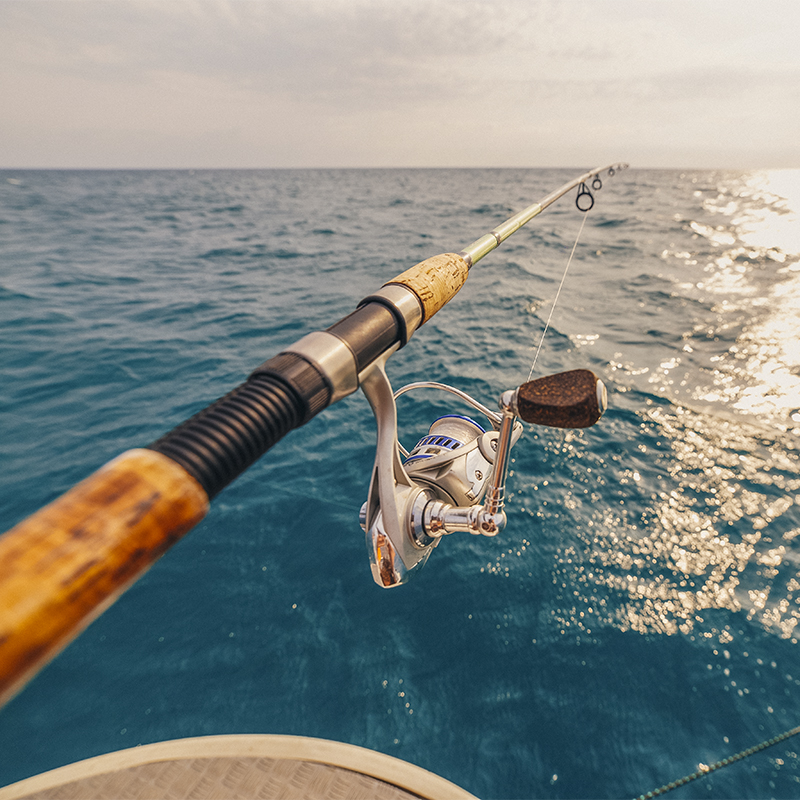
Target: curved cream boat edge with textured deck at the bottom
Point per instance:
(232, 767)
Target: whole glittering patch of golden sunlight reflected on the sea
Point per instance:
(720, 527)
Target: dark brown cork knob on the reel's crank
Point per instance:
(573, 399)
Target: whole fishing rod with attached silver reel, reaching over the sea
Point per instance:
(65, 564)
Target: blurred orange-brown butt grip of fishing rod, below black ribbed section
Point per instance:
(65, 564)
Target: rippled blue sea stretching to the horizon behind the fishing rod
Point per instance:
(638, 615)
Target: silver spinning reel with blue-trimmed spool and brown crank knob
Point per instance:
(453, 480)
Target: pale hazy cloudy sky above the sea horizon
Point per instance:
(399, 83)
